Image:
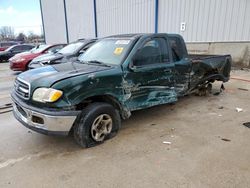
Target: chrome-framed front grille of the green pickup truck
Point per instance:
(22, 88)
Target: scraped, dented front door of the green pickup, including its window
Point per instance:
(150, 79)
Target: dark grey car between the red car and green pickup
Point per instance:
(68, 53)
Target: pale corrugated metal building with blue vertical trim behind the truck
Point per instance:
(208, 26)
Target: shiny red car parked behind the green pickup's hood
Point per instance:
(21, 61)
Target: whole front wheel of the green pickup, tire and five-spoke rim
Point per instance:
(96, 123)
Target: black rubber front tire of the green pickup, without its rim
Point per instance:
(85, 120)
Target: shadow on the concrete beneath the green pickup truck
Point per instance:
(141, 120)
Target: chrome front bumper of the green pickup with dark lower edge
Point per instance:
(49, 122)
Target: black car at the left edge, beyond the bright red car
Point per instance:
(13, 50)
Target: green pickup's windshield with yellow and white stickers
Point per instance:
(108, 51)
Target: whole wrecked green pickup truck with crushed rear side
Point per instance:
(117, 75)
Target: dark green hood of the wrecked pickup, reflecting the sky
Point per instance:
(48, 75)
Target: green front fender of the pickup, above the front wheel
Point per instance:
(78, 89)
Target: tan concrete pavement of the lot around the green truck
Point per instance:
(209, 146)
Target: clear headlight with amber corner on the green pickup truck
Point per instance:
(46, 95)
